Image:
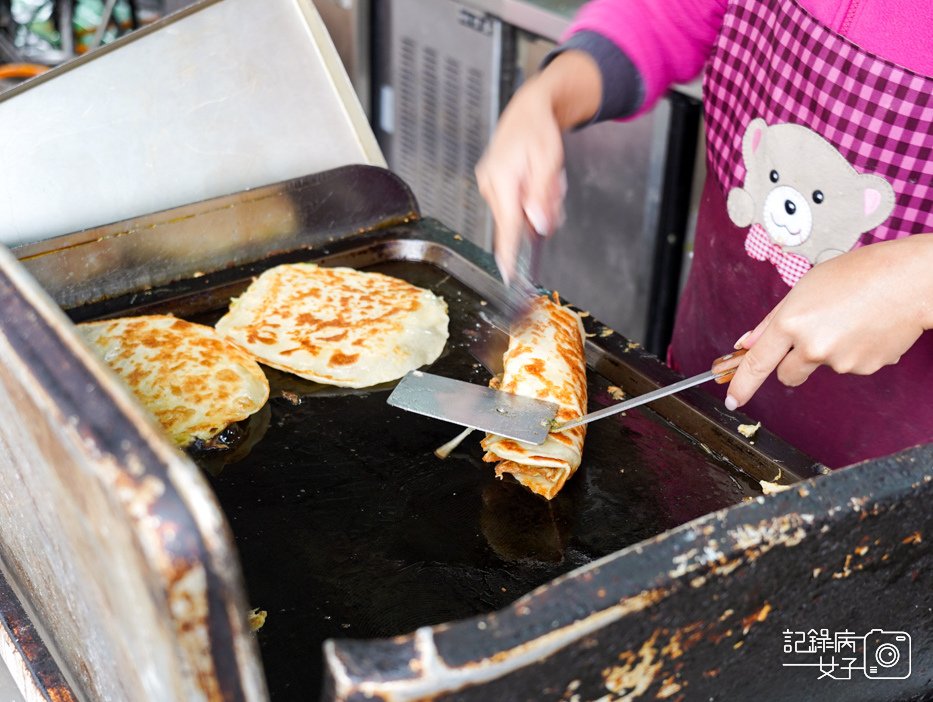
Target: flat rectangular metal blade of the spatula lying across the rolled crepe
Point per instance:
(476, 406)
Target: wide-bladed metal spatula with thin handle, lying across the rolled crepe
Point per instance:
(522, 418)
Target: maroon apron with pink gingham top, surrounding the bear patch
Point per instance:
(775, 61)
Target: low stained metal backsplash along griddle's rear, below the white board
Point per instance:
(181, 244)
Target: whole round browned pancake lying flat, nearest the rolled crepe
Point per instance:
(337, 326)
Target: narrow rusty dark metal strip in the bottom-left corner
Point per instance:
(46, 678)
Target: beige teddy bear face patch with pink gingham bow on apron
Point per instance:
(803, 202)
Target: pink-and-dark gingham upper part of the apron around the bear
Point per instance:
(776, 61)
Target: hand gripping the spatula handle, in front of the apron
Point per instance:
(854, 313)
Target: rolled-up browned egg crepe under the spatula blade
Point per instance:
(545, 360)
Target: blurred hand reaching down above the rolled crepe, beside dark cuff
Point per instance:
(521, 174)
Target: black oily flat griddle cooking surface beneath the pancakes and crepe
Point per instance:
(348, 526)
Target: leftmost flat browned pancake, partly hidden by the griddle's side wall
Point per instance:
(195, 382)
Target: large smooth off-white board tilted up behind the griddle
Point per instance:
(223, 96)
